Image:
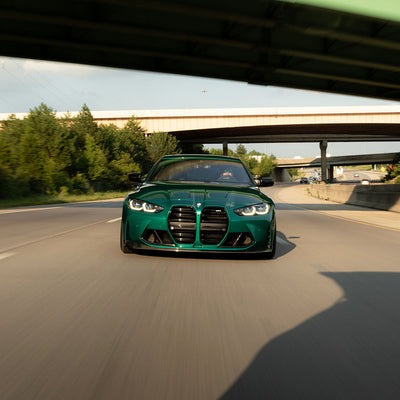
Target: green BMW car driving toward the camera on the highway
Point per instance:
(202, 203)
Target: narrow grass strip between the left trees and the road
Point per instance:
(61, 198)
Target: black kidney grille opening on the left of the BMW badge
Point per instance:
(182, 224)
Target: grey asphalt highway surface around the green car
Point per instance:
(81, 320)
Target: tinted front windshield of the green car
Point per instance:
(200, 170)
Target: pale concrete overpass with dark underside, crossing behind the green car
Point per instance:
(266, 125)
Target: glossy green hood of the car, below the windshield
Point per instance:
(199, 195)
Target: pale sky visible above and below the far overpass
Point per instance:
(24, 84)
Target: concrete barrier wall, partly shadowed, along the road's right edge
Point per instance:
(381, 196)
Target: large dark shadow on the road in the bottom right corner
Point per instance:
(349, 351)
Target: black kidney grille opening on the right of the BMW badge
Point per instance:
(213, 225)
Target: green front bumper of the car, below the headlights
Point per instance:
(253, 234)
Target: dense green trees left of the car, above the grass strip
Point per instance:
(45, 156)
